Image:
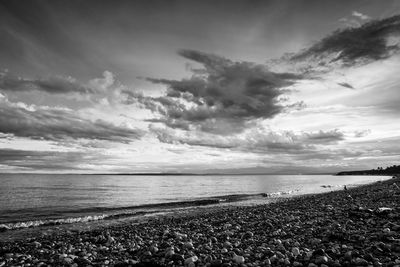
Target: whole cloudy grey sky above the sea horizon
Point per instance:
(199, 86)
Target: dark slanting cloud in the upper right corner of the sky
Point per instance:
(368, 42)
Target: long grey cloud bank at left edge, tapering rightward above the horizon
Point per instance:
(58, 124)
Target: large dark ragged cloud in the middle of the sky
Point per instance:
(221, 91)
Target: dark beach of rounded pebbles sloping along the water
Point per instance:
(357, 227)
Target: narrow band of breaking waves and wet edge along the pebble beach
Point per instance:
(32, 217)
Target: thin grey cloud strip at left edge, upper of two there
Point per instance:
(52, 85)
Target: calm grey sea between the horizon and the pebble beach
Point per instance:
(35, 199)
